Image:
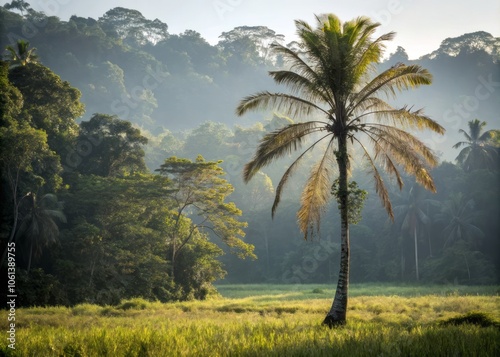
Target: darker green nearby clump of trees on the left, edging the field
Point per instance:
(103, 228)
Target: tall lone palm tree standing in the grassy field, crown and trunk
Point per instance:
(330, 76)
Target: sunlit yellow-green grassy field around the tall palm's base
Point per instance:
(270, 320)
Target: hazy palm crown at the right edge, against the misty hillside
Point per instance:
(479, 151)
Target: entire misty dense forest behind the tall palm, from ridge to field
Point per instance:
(121, 161)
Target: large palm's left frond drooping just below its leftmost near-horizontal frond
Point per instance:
(279, 143)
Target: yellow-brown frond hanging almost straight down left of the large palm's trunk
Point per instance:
(316, 193)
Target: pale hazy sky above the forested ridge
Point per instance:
(421, 25)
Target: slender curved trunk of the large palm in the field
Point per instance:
(337, 314)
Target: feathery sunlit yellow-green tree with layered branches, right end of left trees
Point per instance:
(200, 193)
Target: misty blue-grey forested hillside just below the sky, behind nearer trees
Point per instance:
(130, 66)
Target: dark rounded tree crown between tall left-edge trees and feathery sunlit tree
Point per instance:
(110, 146)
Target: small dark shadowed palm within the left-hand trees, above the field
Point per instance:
(38, 228)
